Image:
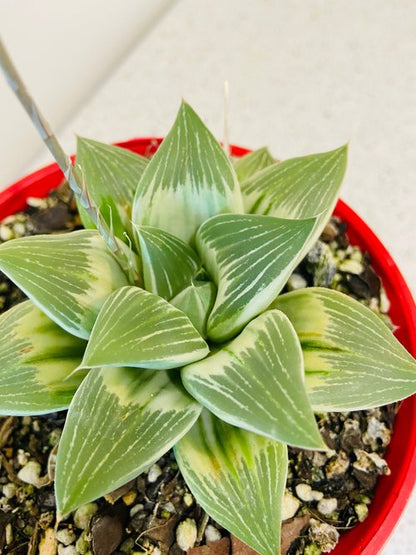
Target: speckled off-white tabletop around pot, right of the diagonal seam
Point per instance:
(305, 76)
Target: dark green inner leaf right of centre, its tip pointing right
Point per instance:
(250, 258)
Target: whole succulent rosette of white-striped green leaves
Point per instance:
(190, 345)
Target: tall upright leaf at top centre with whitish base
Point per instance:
(188, 180)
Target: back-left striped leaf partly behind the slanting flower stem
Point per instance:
(110, 174)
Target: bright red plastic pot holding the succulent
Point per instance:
(392, 491)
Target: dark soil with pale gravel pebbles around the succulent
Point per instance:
(327, 493)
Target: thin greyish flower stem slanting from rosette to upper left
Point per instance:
(64, 162)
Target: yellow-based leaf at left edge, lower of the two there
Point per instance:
(36, 358)
